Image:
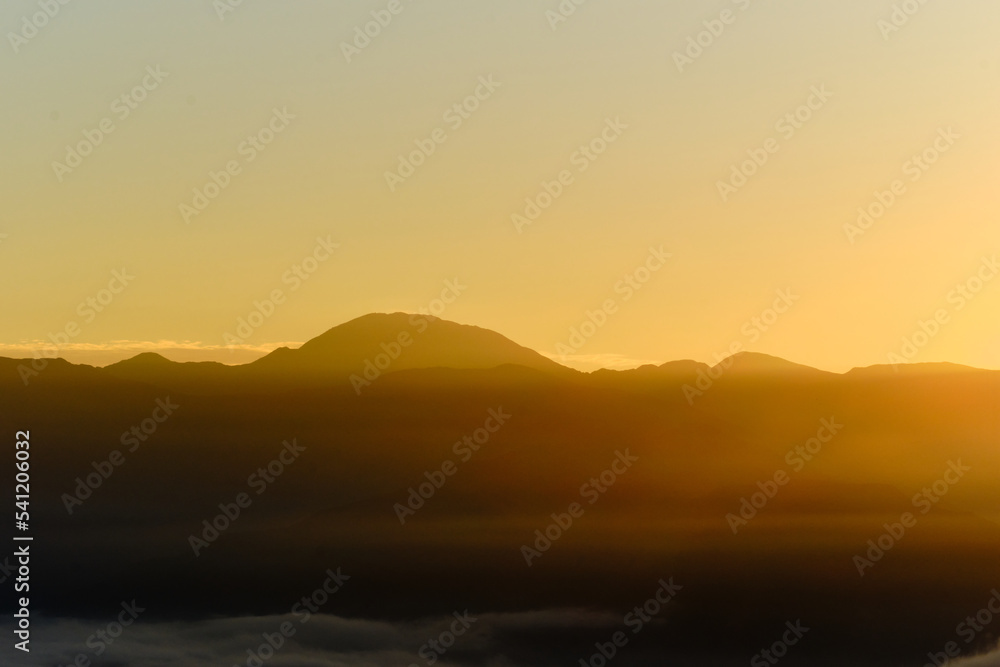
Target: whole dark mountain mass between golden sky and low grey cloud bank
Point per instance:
(854, 448)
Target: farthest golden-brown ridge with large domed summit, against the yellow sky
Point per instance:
(379, 344)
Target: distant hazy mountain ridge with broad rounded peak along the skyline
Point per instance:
(389, 342)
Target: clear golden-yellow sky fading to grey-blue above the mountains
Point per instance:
(171, 167)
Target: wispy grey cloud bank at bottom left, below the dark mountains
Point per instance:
(317, 641)
